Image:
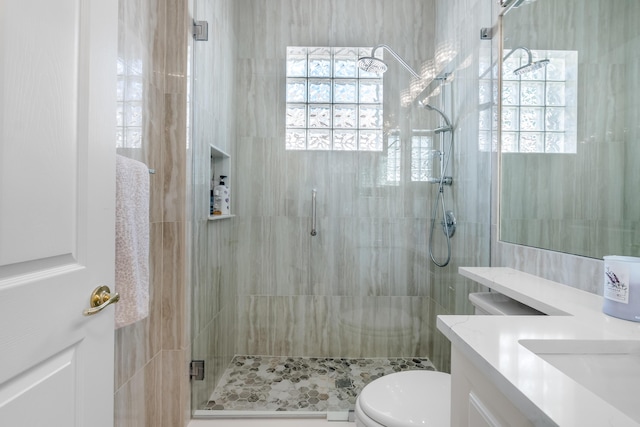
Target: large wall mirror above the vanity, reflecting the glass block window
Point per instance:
(570, 160)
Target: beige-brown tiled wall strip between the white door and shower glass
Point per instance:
(151, 382)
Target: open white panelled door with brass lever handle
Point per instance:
(57, 162)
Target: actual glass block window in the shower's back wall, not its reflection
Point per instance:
(330, 103)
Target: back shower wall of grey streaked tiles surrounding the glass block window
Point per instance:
(360, 287)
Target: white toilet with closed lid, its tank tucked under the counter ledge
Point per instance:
(422, 398)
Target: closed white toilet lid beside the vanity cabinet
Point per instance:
(408, 399)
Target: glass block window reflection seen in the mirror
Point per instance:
(539, 108)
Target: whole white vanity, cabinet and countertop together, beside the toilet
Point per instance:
(501, 377)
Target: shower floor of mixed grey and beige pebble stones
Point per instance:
(266, 383)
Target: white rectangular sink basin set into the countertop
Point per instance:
(608, 368)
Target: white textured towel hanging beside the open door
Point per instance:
(132, 240)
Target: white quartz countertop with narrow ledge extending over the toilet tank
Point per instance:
(496, 346)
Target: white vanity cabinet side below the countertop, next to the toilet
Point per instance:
(476, 401)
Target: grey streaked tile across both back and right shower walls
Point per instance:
(364, 286)
